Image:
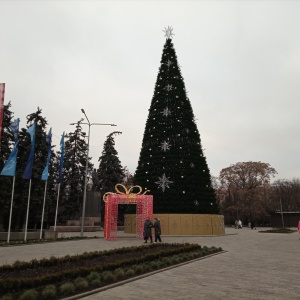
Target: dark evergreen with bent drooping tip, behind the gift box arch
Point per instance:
(110, 172)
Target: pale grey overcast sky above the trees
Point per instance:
(240, 61)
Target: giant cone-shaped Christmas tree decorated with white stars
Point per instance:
(171, 164)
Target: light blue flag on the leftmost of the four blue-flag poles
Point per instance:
(9, 168)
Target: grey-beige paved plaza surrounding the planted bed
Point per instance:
(255, 266)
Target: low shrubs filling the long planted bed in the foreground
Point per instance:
(122, 267)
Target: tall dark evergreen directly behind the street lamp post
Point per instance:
(72, 186)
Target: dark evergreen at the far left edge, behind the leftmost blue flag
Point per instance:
(5, 149)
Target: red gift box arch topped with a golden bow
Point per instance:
(144, 209)
